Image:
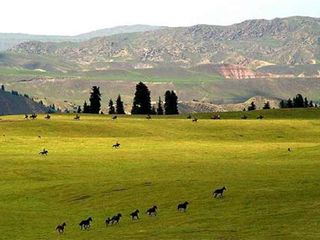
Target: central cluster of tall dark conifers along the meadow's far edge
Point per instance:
(141, 103)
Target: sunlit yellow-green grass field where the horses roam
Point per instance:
(271, 193)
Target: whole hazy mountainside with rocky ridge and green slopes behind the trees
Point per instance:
(220, 64)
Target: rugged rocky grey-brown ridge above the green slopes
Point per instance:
(280, 41)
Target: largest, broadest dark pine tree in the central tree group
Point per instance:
(142, 100)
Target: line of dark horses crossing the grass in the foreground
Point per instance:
(152, 211)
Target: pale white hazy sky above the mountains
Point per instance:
(70, 17)
